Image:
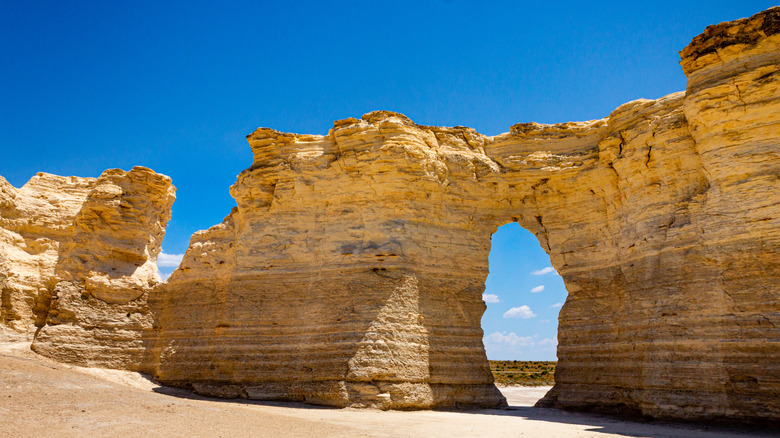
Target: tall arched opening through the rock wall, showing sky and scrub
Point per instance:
(523, 294)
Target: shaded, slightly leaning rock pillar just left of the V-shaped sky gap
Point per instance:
(106, 266)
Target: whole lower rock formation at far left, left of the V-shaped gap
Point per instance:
(78, 259)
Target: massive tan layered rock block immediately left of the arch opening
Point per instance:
(330, 281)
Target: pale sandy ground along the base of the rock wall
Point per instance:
(43, 398)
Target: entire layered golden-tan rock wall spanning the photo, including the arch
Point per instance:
(351, 271)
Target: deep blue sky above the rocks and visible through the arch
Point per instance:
(176, 86)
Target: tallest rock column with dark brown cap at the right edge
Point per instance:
(733, 106)
